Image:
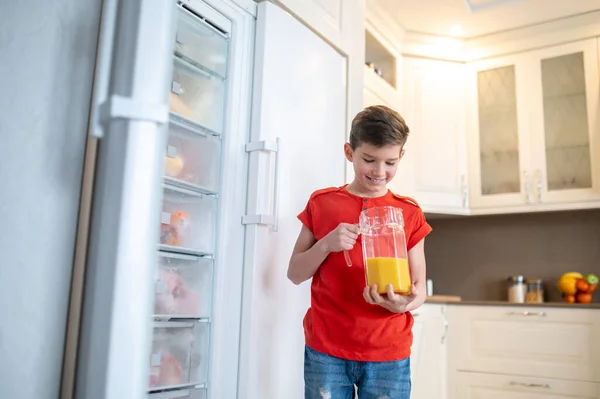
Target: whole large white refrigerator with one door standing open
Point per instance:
(205, 116)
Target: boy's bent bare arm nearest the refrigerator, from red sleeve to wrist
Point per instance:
(307, 256)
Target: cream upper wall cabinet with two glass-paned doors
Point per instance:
(533, 130)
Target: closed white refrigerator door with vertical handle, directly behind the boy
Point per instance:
(300, 97)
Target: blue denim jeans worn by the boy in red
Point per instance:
(328, 377)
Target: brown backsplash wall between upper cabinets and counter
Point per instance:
(473, 257)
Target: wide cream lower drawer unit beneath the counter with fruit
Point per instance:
(521, 351)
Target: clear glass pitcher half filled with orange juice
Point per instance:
(384, 249)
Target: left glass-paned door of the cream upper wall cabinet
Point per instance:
(498, 128)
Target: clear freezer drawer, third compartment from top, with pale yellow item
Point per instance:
(193, 158)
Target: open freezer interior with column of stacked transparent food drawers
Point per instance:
(188, 221)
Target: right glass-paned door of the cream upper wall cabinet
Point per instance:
(566, 123)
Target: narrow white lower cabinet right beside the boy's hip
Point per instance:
(428, 352)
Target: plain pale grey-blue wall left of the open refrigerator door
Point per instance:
(48, 52)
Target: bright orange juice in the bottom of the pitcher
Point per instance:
(383, 271)
